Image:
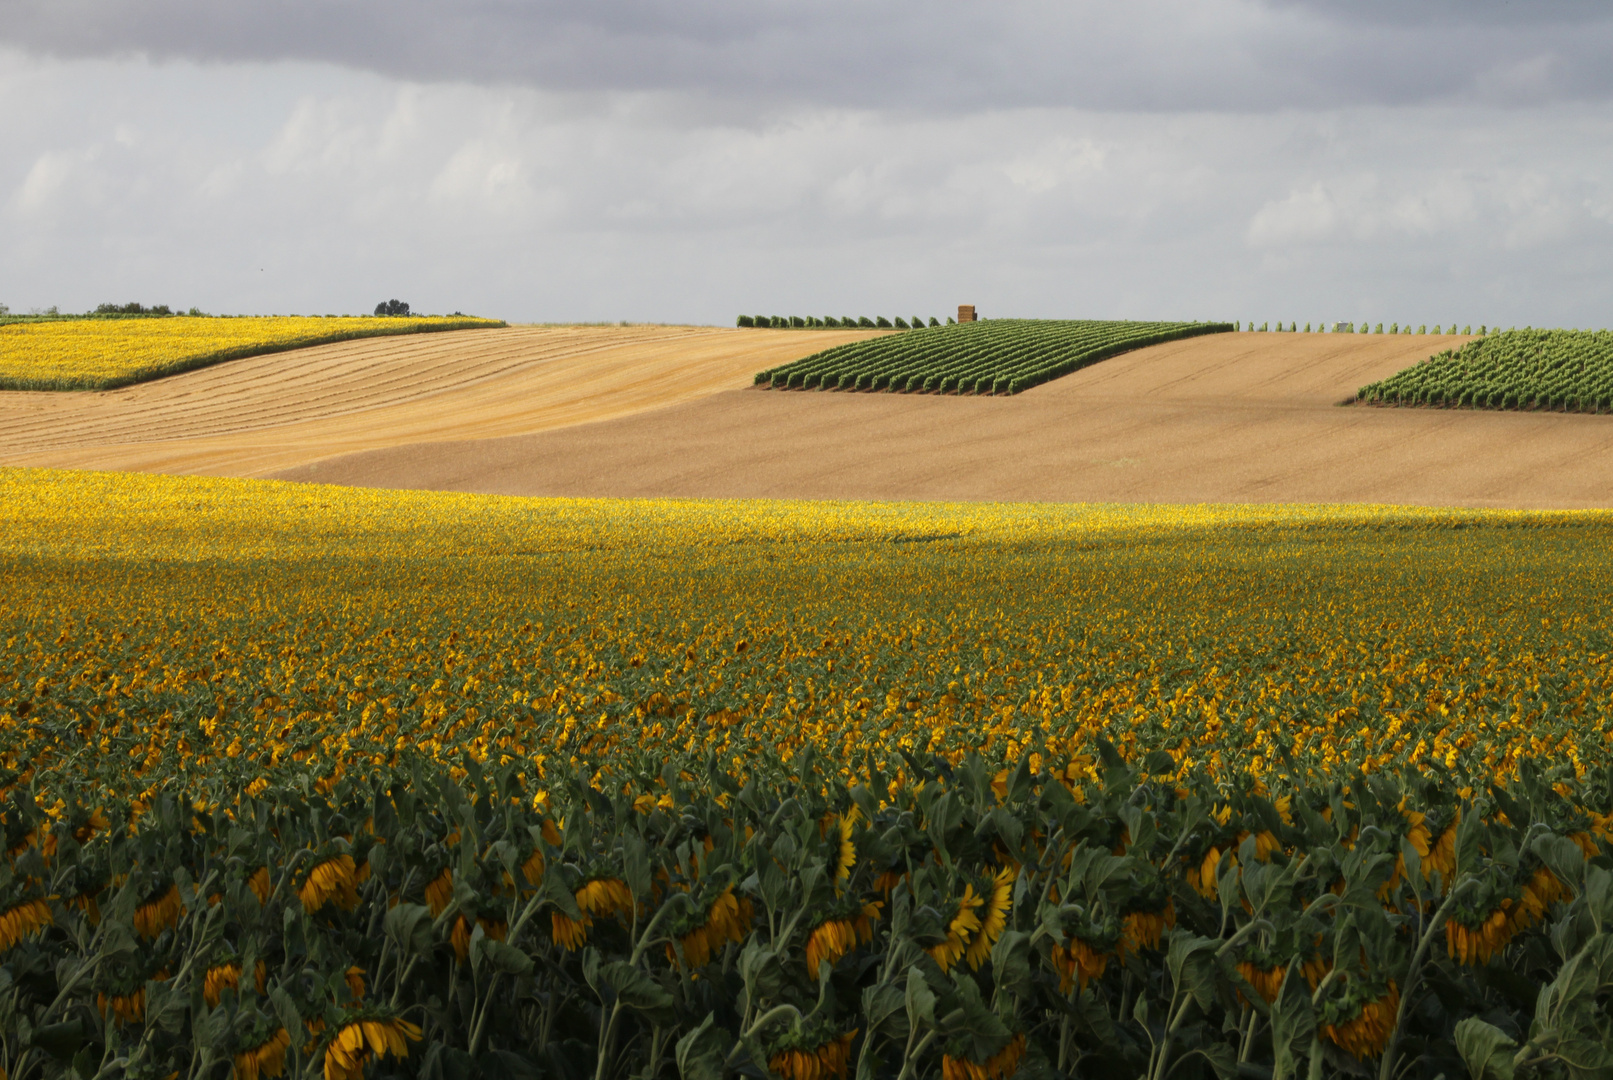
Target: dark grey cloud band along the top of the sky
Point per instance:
(1151, 56)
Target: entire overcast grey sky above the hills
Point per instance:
(544, 160)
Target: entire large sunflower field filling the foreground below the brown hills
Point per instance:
(304, 781)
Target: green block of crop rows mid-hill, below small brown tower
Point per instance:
(996, 357)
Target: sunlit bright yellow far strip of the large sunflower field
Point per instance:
(114, 515)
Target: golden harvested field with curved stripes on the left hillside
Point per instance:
(254, 417)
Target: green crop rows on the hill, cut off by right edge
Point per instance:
(1519, 370)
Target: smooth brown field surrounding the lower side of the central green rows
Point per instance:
(1223, 418)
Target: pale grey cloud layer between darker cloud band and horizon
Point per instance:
(291, 188)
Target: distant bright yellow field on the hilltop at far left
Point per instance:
(106, 354)
